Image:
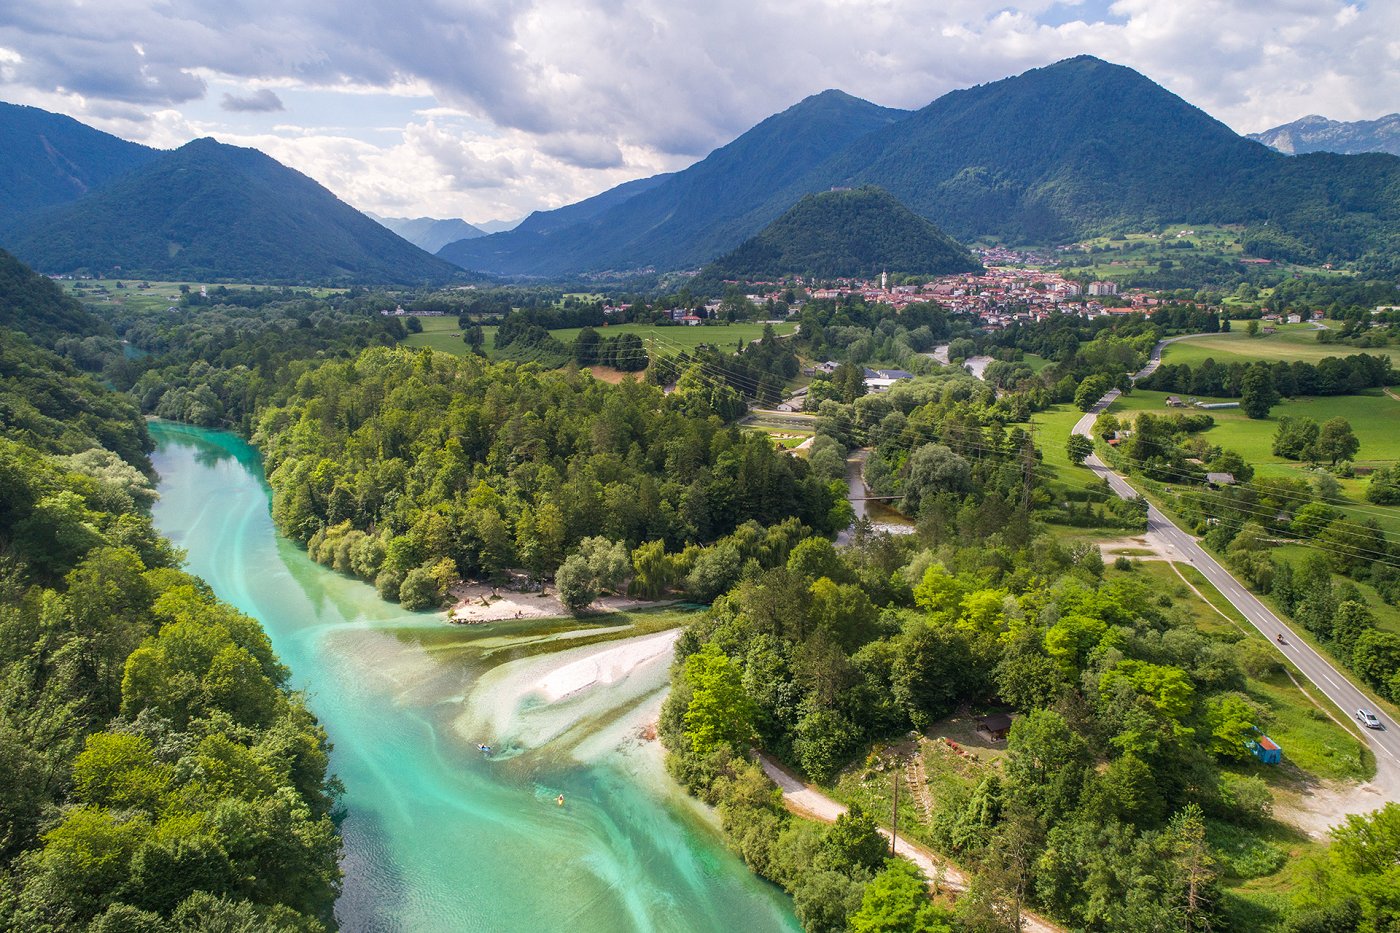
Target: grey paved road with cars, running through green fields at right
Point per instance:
(1333, 684)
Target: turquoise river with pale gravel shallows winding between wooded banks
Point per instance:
(437, 836)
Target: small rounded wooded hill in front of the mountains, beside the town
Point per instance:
(845, 233)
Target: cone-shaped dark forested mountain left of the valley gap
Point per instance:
(215, 212)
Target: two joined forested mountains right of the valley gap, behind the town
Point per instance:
(1055, 155)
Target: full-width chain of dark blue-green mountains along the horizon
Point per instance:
(1074, 149)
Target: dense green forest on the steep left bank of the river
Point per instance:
(160, 774)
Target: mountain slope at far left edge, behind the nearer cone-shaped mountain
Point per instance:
(50, 159)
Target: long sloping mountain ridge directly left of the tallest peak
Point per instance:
(684, 219)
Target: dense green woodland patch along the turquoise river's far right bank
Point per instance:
(405, 467)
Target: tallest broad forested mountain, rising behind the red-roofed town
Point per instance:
(1084, 146)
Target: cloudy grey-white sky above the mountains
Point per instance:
(493, 109)
